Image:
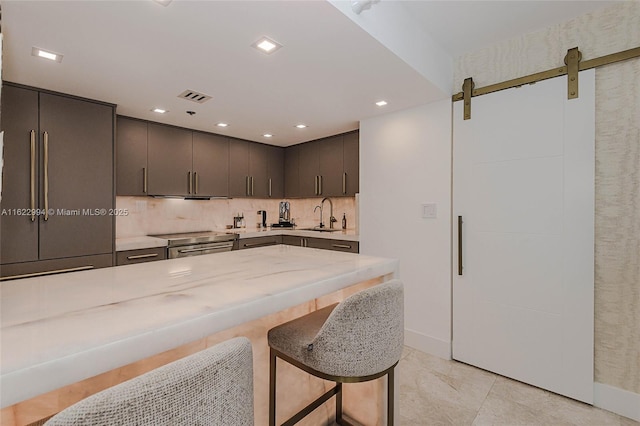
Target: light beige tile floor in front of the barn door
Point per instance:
(434, 391)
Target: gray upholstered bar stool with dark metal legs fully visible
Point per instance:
(357, 340)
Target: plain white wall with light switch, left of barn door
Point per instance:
(405, 160)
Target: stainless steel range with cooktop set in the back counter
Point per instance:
(197, 243)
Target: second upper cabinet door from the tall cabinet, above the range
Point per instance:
(170, 160)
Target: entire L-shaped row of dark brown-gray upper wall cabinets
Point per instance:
(156, 159)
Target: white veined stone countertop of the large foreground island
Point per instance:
(60, 329)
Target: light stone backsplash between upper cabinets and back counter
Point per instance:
(147, 216)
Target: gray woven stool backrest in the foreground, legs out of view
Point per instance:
(211, 387)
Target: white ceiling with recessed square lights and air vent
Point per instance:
(140, 55)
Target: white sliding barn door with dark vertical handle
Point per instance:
(523, 186)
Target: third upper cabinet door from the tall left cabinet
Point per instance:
(210, 165)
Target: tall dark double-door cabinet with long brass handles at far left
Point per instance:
(57, 183)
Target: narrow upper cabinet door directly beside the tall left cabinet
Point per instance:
(131, 156)
